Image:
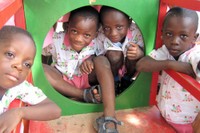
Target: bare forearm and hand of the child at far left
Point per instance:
(45, 110)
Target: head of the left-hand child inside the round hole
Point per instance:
(83, 27)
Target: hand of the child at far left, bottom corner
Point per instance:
(9, 120)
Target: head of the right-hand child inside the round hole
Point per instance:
(115, 23)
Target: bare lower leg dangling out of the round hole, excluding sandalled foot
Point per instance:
(106, 81)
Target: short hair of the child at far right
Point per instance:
(182, 12)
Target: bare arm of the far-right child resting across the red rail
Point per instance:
(148, 64)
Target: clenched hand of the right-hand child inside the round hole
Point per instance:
(134, 52)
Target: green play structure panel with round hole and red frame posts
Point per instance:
(38, 16)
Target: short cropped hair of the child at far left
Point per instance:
(7, 33)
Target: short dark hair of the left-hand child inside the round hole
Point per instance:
(87, 12)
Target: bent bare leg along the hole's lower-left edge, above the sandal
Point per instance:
(56, 80)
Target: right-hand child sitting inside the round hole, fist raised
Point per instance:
(121, 42)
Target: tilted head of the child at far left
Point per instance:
(17, 52)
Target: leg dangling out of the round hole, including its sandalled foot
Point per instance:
(105, 78)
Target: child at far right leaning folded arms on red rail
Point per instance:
(179, 53)
